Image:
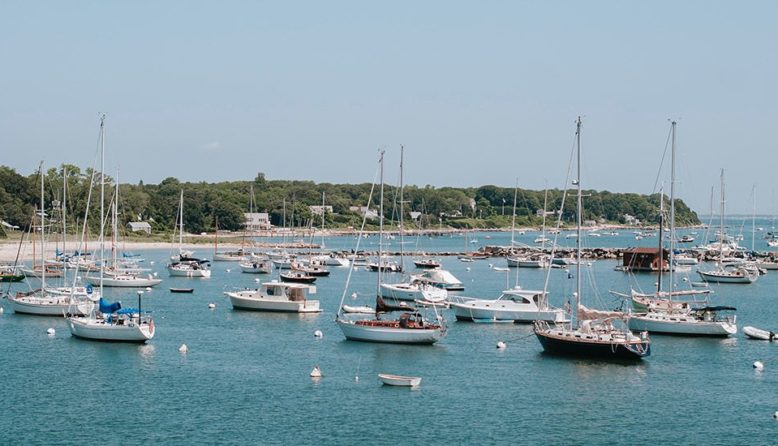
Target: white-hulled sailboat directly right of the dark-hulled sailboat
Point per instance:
(666, 315)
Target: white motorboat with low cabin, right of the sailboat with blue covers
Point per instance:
(276, 296)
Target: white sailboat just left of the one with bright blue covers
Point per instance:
(41, 302)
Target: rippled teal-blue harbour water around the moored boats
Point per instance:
(245, 379)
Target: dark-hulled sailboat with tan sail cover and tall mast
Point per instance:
(591, 333)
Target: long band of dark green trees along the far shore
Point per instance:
(287, 203)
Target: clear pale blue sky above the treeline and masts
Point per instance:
(477, 92)
